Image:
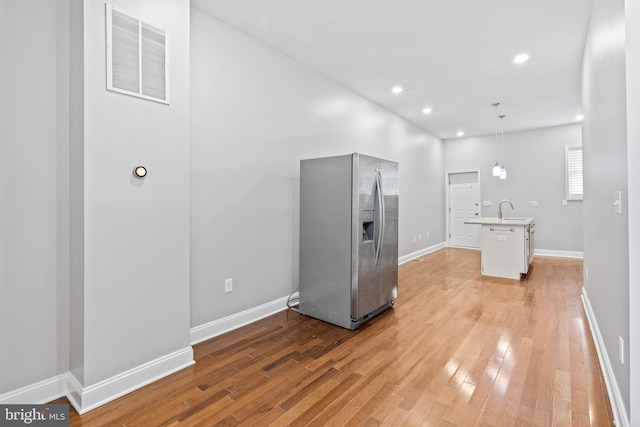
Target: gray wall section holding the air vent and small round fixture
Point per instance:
(136, 232)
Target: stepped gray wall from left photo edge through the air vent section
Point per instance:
(95, 264)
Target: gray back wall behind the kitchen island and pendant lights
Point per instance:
(535, 164)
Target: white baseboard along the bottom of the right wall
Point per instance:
(620, 415)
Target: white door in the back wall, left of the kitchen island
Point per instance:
(464, 205)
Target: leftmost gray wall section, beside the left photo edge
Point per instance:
(28, 194)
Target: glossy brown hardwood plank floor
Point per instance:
(456, 350)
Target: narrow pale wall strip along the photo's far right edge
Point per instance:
(632, 10)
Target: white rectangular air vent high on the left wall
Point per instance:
(137, 60)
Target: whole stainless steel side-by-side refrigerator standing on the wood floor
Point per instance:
(348, 238)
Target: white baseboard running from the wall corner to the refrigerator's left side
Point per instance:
(226, 324)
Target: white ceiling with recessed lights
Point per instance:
(455, 56)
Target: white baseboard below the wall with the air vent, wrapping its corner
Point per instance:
(85, 399)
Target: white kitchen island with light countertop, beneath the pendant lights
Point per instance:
(506, 245)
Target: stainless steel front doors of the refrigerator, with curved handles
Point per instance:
(375, 234)
